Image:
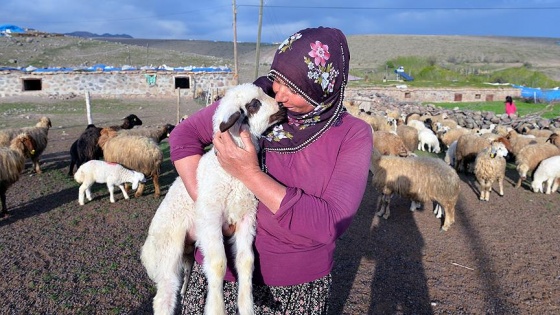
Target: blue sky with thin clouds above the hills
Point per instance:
(214, 19)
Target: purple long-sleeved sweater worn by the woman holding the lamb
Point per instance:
(325, 185)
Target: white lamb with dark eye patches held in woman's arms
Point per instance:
(164, 254)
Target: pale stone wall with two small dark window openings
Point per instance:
(114, 84)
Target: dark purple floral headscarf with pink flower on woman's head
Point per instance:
(314, 63)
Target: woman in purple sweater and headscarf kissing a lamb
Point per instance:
(309, 177)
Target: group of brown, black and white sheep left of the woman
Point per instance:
(133, 149)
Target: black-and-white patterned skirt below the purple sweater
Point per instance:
(307, 298)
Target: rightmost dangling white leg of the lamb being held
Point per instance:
(244, 263)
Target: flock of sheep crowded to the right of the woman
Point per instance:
(483, 152)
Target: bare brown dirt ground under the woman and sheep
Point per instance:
(500, 257)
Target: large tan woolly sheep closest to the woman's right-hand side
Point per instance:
(422, 179)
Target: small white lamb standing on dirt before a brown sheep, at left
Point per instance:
(95, 171)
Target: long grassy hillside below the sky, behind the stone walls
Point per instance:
(369, 53)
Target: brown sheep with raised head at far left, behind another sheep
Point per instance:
(40, 135)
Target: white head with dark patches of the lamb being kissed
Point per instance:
(247, 106)
